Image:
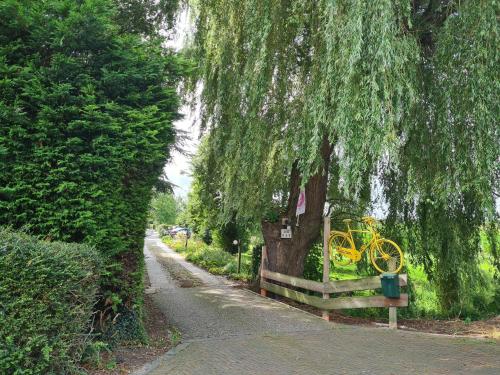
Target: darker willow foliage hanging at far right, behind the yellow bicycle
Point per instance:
(445, 187)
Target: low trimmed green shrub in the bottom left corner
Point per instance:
(47, 295)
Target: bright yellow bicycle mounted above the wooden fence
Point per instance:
(385, 255)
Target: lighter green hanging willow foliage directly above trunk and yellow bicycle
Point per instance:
(279, 75)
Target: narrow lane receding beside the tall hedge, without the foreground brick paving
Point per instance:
(216, 309)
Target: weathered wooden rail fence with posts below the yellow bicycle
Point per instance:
(328, 287)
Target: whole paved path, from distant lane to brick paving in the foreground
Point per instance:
(233, 331)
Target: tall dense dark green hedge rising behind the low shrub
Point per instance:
(86, 115)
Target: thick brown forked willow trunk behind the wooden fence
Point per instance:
(288, 255)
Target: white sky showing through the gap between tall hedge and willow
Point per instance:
(178, 170)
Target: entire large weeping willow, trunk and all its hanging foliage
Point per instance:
(403, 90)
